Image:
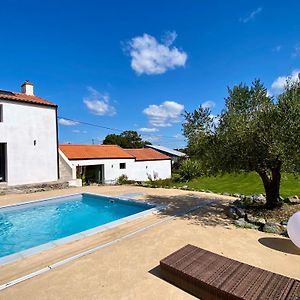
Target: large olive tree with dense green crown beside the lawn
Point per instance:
(254, 132)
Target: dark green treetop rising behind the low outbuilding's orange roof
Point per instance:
(127, 139)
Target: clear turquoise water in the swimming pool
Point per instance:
(31, 225)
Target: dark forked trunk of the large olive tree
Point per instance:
(271, 181)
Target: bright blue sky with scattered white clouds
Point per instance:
(139, 64)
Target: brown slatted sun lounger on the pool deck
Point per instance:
(211, 276)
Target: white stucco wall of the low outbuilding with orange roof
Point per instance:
(135, 170)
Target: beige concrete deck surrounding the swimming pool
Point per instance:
(127, 269)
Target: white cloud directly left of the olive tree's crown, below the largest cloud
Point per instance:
(165, 114)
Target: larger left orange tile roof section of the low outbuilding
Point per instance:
(93, 151)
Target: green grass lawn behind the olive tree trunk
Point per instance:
(245, 183)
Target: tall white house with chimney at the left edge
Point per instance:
(28, 138)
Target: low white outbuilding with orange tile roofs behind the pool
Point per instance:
(106, 163)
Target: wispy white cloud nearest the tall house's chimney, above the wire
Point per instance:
(98, 103)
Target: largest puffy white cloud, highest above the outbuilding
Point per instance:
(149, 56)
